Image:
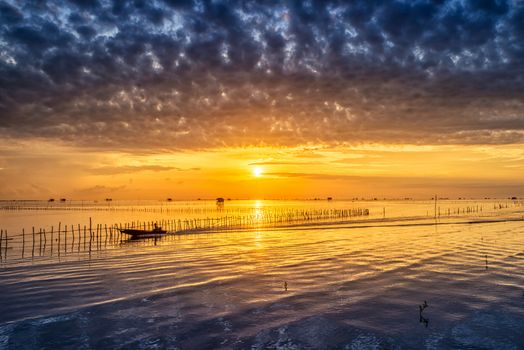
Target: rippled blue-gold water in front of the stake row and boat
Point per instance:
(347, 287)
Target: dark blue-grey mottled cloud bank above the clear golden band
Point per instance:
(190, 74)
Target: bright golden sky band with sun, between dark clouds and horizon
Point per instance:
(40, 169)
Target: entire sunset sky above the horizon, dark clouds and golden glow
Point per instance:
(274, 99)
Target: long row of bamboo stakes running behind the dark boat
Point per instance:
(68, 238)
